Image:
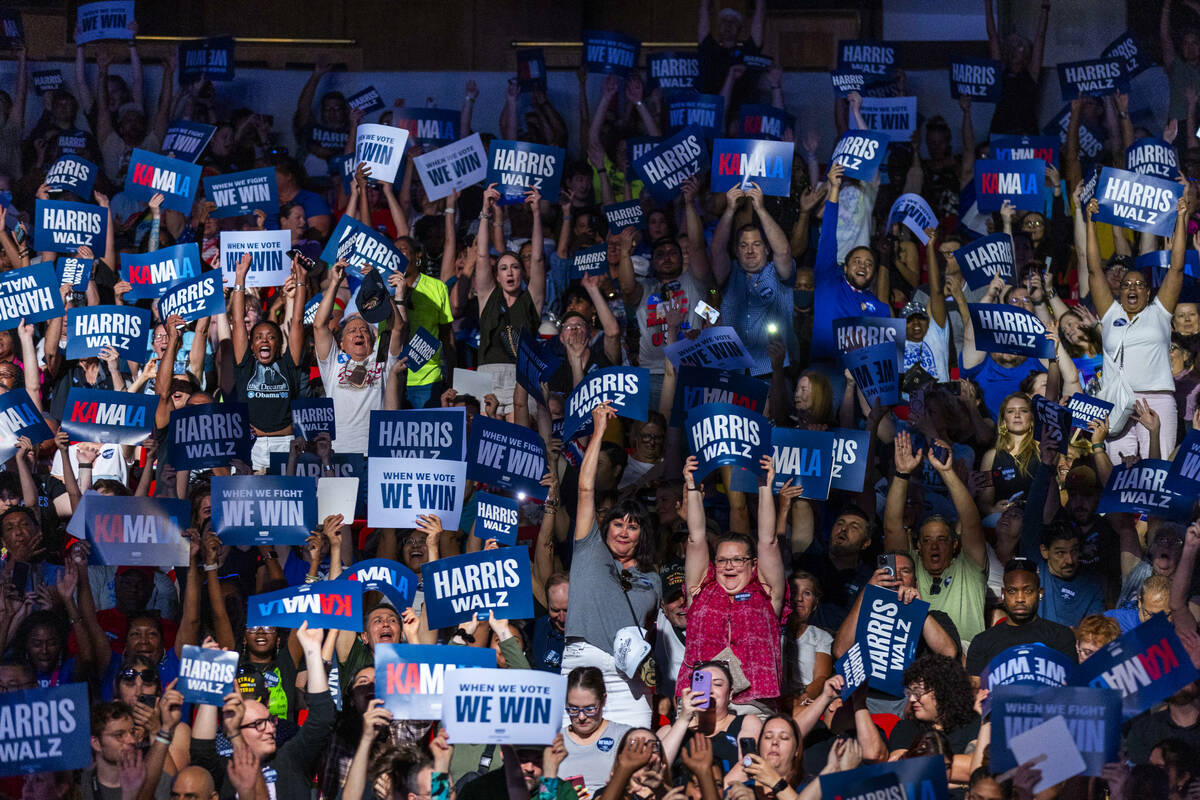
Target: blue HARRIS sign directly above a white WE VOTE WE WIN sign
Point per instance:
(437, 434)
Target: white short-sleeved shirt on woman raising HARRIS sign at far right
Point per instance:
(1147, 339)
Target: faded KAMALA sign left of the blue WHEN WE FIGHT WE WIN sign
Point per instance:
(137, 532)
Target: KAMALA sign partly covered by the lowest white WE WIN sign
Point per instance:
(411, 678)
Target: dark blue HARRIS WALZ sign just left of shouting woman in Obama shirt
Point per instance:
(212, 435)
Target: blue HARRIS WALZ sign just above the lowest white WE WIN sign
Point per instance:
(466, 587)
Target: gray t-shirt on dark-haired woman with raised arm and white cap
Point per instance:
(598, 609)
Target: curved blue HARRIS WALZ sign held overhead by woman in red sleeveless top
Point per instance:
(723, 435)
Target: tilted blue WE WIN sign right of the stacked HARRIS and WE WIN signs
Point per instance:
(507, 456)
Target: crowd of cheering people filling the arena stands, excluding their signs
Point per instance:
(747, 599)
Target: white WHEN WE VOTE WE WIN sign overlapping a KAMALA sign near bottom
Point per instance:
(505, 707)
